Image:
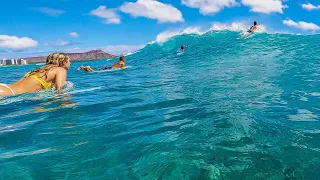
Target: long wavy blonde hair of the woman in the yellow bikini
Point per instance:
(53, 60)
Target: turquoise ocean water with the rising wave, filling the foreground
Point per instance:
(224, 109)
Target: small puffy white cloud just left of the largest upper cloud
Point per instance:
(109, 15)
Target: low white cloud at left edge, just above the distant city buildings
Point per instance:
(16, 43)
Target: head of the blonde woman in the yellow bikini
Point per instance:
(59, 59)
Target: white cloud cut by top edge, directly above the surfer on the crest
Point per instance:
(265, 6)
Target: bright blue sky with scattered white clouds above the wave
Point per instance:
(39, 27)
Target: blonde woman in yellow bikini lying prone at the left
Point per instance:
(53, 74)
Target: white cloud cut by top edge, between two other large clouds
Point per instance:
(209, 6)
